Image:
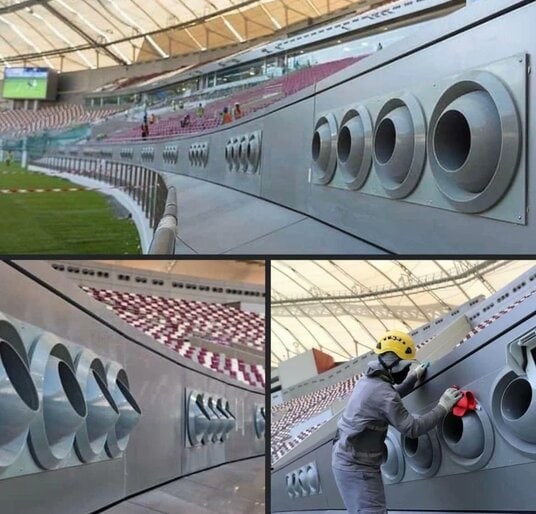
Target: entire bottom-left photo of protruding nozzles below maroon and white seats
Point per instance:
(132, 386)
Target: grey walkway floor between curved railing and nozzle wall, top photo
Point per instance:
(216, 219)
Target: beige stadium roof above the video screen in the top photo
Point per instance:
(70, 35)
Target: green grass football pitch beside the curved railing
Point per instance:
(59, 223)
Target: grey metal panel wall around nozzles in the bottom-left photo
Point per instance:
(158, 378)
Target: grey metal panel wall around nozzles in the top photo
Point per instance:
(463, 42)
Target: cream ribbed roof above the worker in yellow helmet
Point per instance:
(342, 306)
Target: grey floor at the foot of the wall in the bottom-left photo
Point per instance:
(236, 488)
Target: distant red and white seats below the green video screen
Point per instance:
(20, 122)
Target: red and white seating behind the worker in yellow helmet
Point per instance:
(304, 407)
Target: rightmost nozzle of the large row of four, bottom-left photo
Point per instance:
(128, 408)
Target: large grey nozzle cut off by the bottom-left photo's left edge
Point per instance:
(19, 403)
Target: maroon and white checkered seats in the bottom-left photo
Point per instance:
(171, 322)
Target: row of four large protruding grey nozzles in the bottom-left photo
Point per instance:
(55, 402)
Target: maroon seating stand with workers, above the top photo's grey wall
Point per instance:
(251, 99)
